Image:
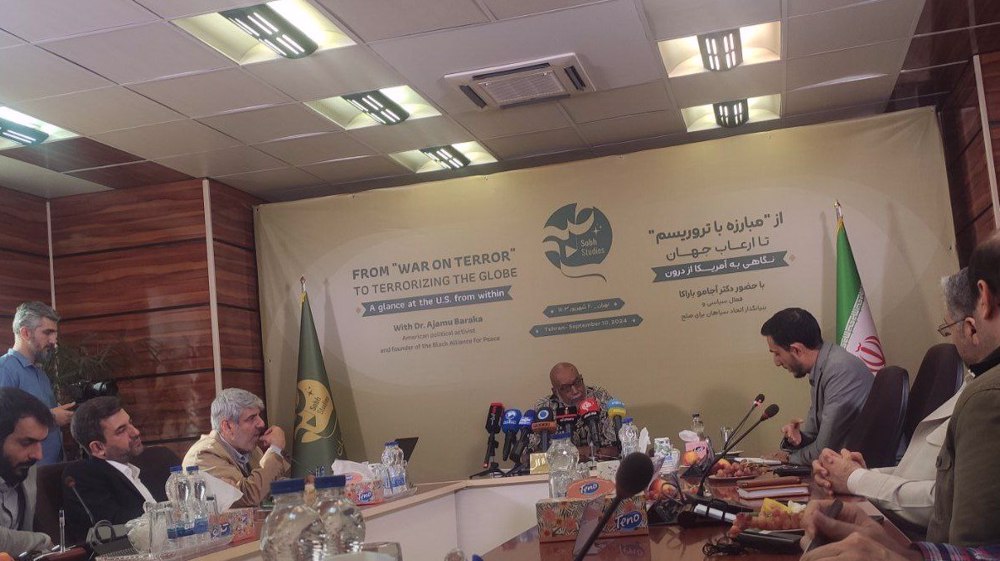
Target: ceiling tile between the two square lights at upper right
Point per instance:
(738, 83)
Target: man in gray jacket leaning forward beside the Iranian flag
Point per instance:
(839, 384)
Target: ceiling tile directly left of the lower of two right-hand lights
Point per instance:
(618, 103)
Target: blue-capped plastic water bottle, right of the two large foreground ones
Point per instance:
(344, 525)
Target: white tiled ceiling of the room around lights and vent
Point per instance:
(149, 102)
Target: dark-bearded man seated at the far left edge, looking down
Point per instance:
(24, 423)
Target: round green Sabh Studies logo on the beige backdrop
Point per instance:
(576, 241)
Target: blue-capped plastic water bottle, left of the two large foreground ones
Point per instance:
(279, 538)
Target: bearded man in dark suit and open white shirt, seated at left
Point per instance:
(112, 488)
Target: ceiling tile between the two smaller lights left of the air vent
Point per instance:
(412, 134)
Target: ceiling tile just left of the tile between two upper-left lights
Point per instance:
(211, 93)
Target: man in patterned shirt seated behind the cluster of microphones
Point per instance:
(568, 389)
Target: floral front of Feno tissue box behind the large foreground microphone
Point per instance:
(559, 519)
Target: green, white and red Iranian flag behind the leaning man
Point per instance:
(855, 327)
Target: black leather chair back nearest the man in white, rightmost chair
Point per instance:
(940, 376)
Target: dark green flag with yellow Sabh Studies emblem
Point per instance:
(317, 431)
